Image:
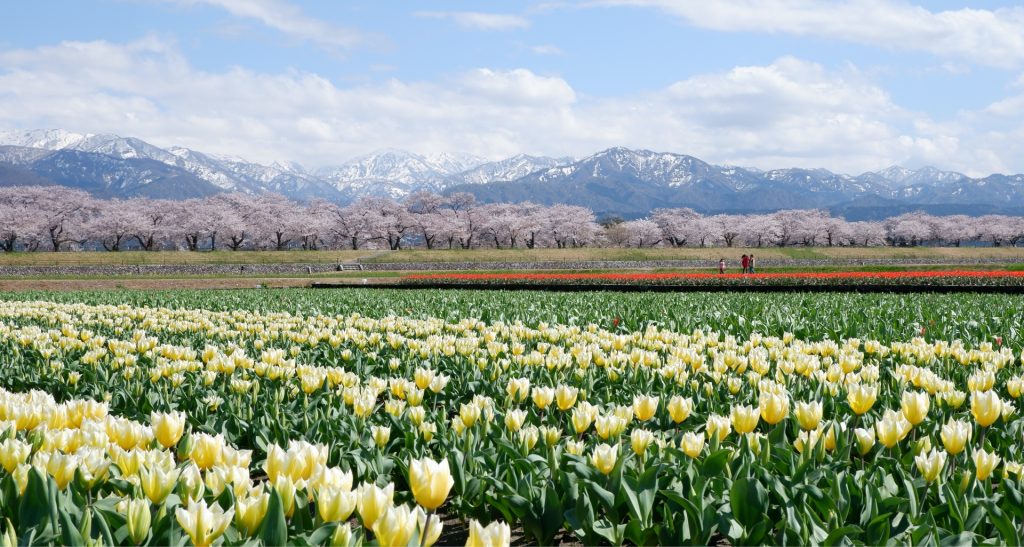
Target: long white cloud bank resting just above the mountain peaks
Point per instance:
(789, 113)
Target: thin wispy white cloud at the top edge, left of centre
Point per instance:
(290, 20)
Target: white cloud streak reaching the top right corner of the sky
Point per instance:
(991, 37)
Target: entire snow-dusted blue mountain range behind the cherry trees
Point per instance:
(616, 182)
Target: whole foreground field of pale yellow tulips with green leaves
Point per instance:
(419, 417)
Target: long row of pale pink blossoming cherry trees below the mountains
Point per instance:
(58, 219)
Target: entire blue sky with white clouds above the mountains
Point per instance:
(848, 86)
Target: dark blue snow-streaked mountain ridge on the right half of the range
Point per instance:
(633, 183)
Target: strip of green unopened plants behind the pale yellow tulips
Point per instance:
(885, 317)
